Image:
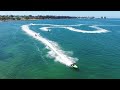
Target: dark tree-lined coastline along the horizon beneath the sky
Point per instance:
(39, 17)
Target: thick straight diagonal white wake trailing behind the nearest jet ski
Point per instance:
(55, 50)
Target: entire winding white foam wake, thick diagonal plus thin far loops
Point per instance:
(54, 49)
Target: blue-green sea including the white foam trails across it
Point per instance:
(97, 54)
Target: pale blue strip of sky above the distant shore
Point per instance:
(109, 14)
